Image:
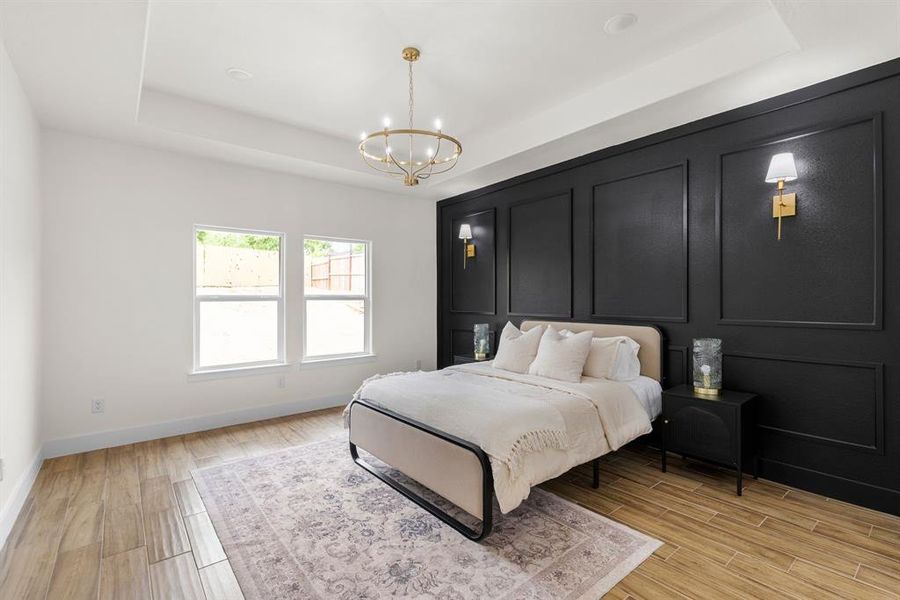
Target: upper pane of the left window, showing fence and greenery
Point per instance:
(237, 263)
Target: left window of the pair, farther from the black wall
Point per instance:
(238, 298)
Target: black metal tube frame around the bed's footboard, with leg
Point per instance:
(487, 482)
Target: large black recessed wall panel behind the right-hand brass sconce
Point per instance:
(826, 269)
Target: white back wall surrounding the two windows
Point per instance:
(117, 279)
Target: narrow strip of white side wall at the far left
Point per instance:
(20, 245)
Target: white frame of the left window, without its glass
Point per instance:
(279, 299)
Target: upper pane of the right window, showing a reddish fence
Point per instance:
(334, 267)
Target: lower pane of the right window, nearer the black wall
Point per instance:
(335, 327)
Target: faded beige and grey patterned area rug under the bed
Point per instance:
(306, 522)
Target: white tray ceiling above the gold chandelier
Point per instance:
(522, 84)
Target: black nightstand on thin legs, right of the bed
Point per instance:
(719, 429)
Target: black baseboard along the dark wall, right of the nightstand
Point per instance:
(840, 488)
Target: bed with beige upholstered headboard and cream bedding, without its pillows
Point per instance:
(445, 429)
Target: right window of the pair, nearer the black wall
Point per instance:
(336, 299)
